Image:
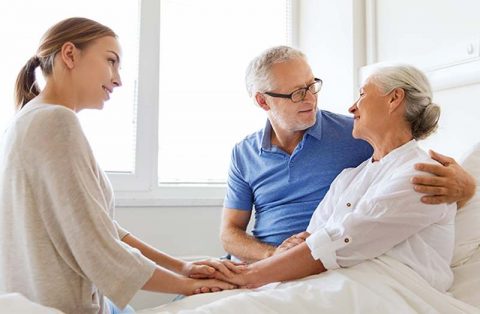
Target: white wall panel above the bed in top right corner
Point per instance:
(411, 28)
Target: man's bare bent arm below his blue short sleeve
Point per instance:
(237, 242)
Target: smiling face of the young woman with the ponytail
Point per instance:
(97, 72)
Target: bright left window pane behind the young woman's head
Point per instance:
(111, 132)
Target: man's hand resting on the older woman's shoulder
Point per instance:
(450, 184)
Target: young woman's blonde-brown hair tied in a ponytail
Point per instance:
(79, 31)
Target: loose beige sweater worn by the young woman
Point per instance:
(59, 245)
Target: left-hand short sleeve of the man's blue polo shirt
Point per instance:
(239, 194)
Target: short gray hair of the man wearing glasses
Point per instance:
(257, 77)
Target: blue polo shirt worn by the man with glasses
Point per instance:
(285, 189)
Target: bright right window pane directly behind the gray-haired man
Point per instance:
(204, 109)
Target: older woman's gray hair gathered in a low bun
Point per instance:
(420, 111)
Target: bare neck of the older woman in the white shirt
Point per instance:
(388, 141)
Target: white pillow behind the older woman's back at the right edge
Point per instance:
(467, 221)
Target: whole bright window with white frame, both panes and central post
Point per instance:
(167, 134)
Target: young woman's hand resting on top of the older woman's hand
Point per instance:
(210, 268)
